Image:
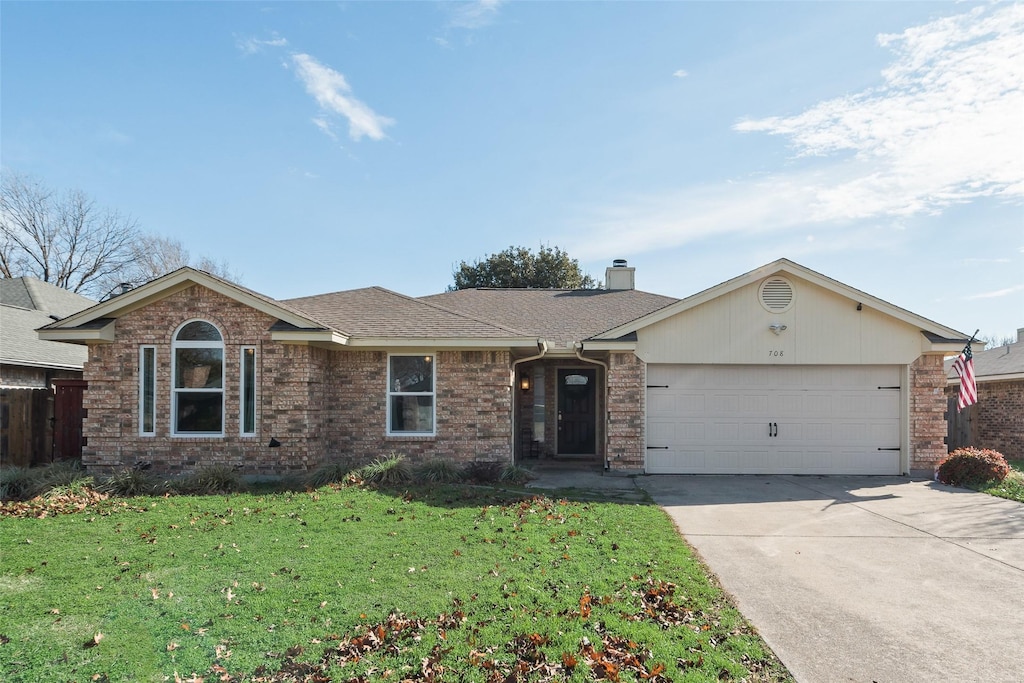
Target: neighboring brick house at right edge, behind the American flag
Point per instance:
(997, 421)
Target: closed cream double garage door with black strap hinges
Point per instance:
(774, 419)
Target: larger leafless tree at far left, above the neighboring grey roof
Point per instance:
(62, 239)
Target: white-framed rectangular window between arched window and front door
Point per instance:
(411, 395)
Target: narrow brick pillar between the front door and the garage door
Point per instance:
(626, 413)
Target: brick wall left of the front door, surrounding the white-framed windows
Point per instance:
(319, 405)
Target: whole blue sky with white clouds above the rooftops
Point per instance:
(318, 147)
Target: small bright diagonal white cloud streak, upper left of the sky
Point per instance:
(334, 96)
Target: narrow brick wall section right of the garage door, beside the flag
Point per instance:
(928, 408)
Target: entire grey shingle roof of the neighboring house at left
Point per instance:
(26, 305)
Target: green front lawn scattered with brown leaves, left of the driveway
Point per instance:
(446, 584)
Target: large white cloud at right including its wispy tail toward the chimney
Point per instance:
(944, 129)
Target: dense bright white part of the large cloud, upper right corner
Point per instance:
(944, 129)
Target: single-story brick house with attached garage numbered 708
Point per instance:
(781, 370)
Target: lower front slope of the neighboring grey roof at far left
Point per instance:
(20, 346)
